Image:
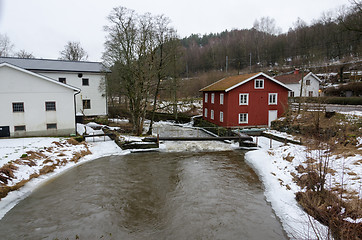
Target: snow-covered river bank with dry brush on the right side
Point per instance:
(276, 167)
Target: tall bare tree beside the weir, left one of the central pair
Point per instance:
(129, 48)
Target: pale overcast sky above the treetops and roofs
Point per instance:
(43, 27)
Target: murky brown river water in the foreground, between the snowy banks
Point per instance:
(213, 195)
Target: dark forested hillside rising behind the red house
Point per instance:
(335, 37)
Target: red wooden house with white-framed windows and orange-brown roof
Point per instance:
(245, 100)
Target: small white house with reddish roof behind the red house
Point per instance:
(311, 83)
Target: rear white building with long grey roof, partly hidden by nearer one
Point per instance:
(87, 76)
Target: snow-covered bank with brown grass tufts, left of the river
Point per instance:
(13, 149)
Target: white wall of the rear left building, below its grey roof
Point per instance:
(91, 92)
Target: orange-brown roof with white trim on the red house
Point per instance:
(229, 83)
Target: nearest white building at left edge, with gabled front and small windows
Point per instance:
(34, 105)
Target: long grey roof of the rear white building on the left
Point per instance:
(55, 65)
